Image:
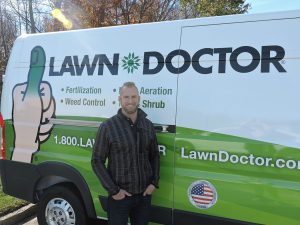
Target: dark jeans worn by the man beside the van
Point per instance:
(136, 207)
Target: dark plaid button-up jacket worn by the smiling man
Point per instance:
(133, 162)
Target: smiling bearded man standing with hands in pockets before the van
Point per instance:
(129, 143)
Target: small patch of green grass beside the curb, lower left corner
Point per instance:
(9, 204)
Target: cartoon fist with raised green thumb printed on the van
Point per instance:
(33, 106)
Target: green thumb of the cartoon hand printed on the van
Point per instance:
(36, 71)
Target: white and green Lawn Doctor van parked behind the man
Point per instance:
(221, 91)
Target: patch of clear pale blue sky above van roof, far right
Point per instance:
(261, 6)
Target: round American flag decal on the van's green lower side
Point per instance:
(202, 194)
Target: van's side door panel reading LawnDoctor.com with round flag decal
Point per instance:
(238, 122)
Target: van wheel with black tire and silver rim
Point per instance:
(60, 206)
